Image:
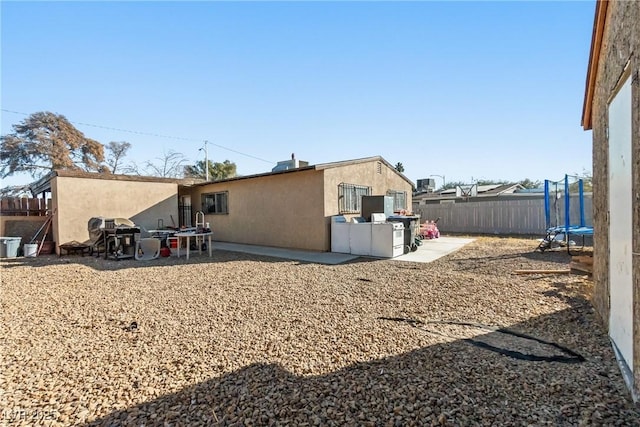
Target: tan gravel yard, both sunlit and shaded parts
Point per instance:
(245, 340)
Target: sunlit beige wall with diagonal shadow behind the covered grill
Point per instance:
(77, 200)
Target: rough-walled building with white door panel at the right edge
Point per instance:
(612, 111)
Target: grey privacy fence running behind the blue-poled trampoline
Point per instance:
(521, 216)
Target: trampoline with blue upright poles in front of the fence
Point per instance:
(559, 227)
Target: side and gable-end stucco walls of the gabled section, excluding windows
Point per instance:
(291, 210)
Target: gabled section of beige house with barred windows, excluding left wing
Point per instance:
(292, 208)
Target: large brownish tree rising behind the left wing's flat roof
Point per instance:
(45, 141)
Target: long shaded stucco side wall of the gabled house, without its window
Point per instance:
(280, 210)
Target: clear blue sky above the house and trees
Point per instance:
(467, 90)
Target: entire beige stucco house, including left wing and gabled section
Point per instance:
(286, 208)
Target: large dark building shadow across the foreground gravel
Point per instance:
(453, 383)
